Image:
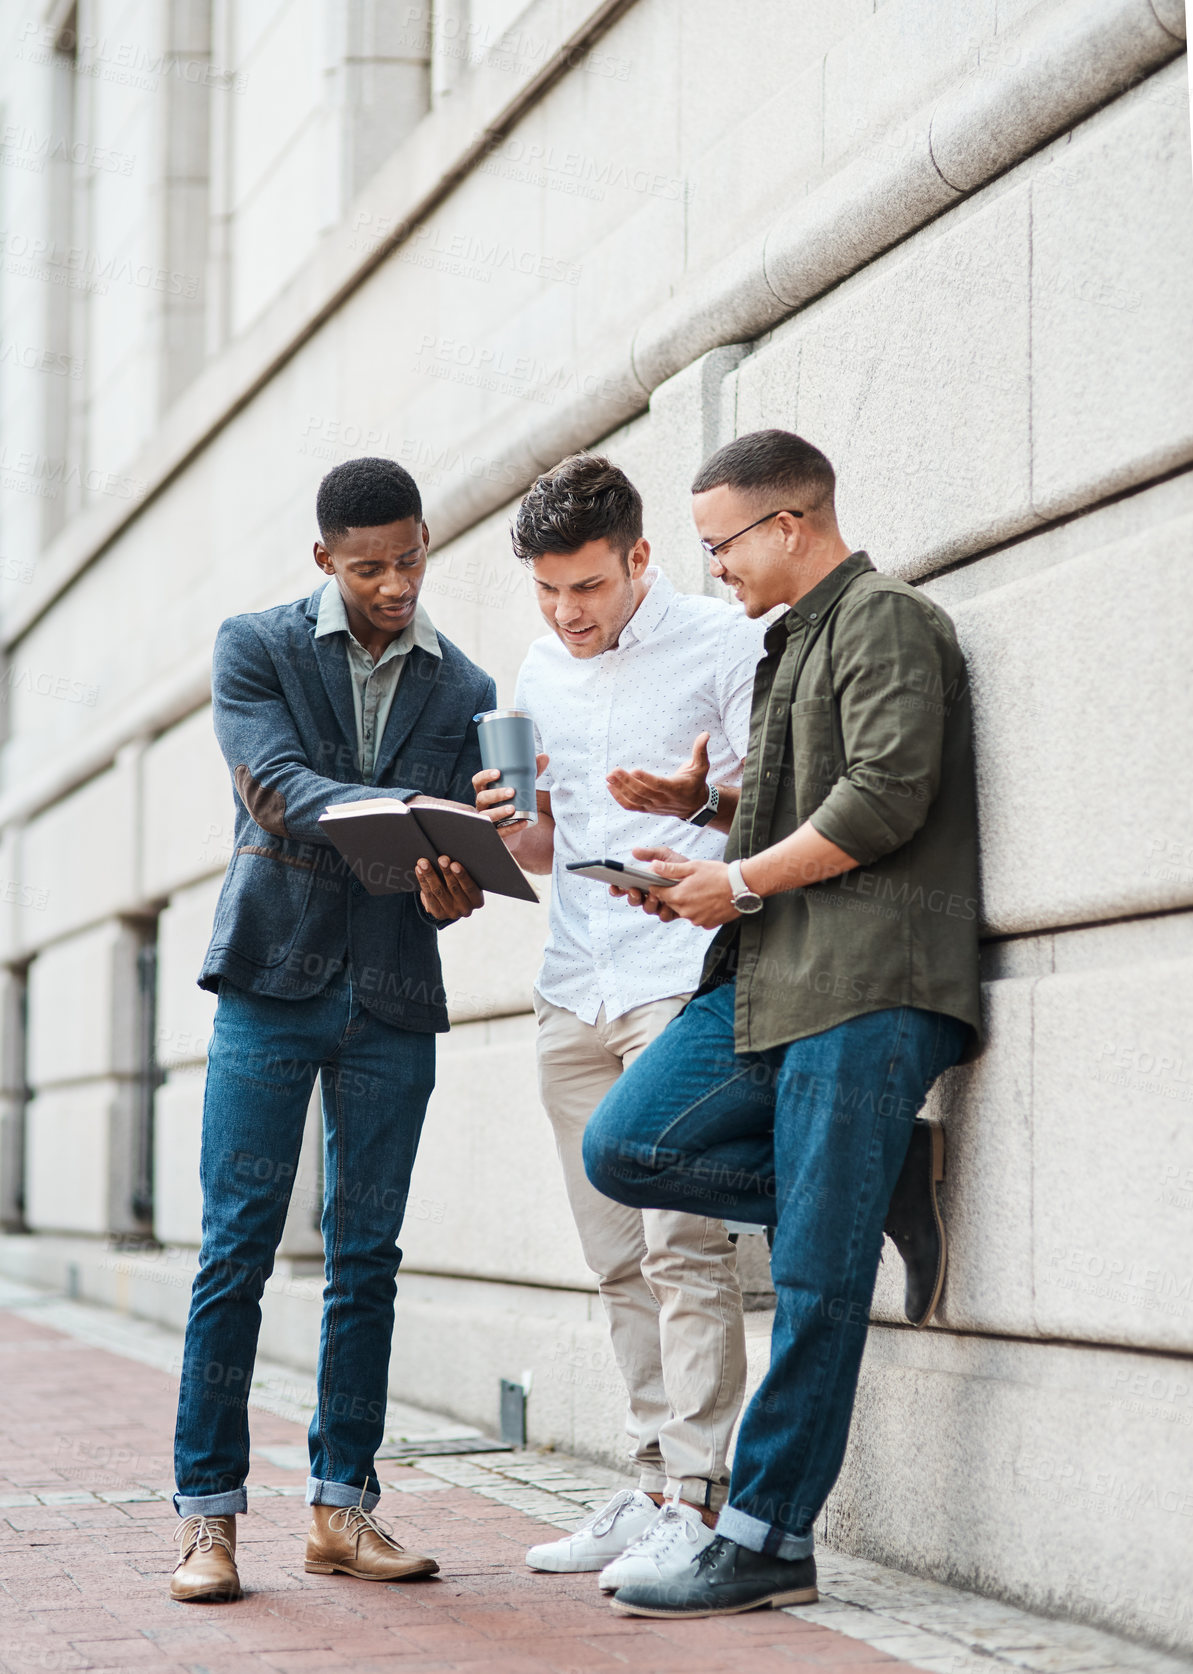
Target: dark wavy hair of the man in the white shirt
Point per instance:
(585, 498)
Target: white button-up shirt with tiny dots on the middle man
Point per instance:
(684, 665)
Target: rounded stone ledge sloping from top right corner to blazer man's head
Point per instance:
(1052, 74)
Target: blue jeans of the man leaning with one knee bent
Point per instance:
(809, 1139)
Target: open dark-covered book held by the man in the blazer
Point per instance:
(382, 840)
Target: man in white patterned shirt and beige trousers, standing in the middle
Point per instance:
(632, 674)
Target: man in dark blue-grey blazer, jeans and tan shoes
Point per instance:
(344, 696)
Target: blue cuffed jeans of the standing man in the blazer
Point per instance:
(376, 1081)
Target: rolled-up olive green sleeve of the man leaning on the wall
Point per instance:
(893, 704)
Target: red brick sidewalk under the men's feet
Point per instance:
(86, 1554)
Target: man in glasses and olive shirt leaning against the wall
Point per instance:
(842, 982)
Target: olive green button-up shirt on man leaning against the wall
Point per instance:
(861, 724)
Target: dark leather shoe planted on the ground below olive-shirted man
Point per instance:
(725, 1579)
